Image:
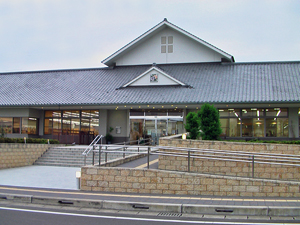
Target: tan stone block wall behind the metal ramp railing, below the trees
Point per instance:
(230, 168)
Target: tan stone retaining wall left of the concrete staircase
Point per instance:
(17, 155)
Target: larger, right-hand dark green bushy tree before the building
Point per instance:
(210, 125)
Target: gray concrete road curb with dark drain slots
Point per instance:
(155, 207)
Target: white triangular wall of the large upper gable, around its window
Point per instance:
(185, 50)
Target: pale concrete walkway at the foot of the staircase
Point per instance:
(40, 177)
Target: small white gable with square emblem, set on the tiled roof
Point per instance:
(168, 80)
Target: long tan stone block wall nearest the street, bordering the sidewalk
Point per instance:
(181, 183)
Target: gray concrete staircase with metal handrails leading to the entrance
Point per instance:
(70, 157)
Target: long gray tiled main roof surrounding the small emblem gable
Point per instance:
(209, 82)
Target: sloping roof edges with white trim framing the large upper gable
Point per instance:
(109, 61)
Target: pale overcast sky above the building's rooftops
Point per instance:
(69, 34)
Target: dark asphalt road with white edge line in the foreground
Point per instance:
(16, 214)
